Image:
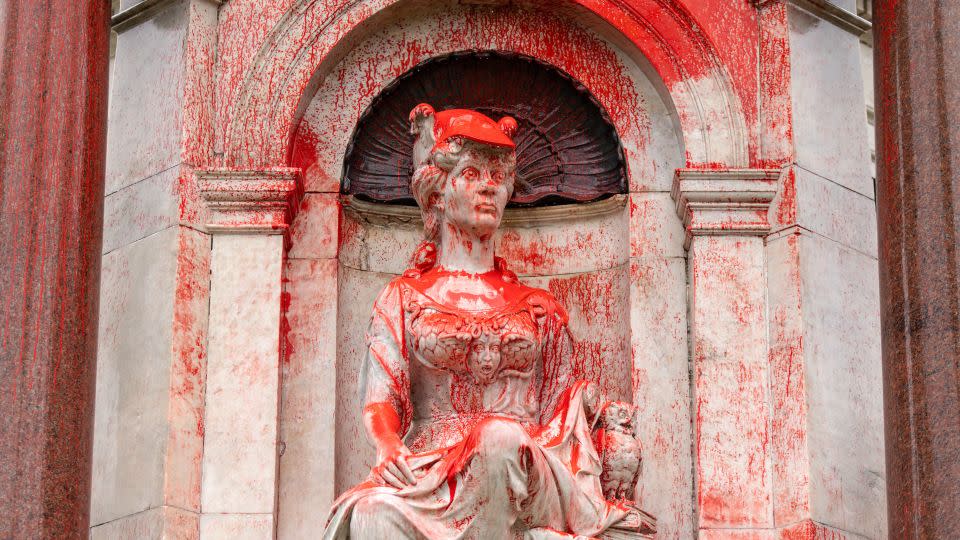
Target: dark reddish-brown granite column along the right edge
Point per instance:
(918, 206)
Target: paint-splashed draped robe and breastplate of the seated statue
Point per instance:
(489, 396)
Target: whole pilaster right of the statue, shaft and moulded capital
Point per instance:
(725, 216)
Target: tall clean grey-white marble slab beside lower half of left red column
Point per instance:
(133, 373)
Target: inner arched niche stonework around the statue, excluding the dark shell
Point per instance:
(617, 264)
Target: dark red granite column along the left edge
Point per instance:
(53, 95)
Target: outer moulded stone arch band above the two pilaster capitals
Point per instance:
(304, 46)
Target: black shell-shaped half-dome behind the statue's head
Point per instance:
(567, 148)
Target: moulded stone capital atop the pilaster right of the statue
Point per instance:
(731, 202)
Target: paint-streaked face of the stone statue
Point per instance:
(477, 191)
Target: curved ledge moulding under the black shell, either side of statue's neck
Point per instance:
(397, 215)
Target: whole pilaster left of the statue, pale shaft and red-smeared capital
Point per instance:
(248, 214)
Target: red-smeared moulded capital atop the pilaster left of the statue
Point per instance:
(259, 201)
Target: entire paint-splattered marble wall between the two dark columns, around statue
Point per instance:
(733, 301)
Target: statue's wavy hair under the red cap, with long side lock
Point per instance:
(427, 185)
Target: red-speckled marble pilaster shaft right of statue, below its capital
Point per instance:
(728, 332)
